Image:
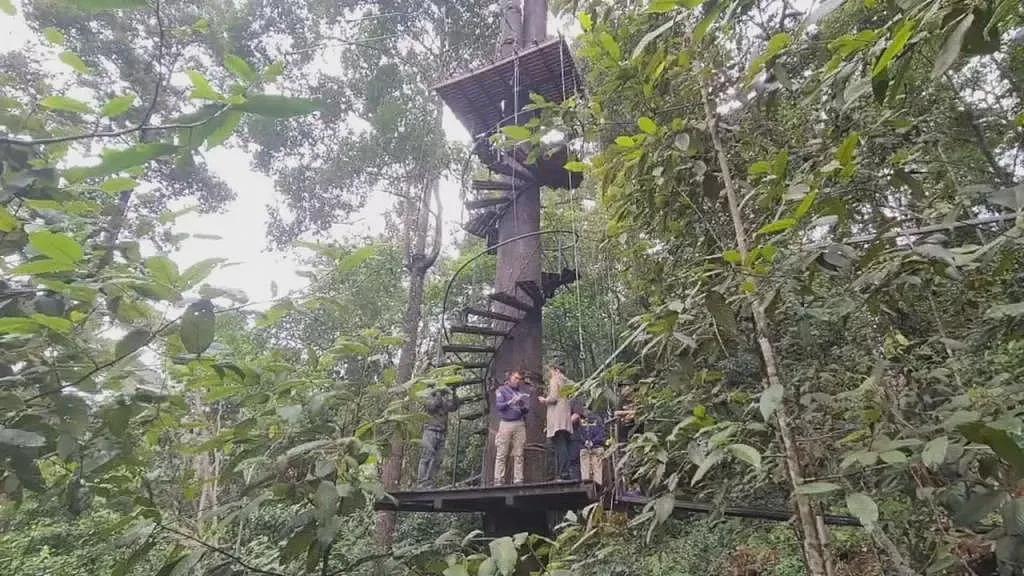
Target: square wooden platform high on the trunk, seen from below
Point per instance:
(477, 99)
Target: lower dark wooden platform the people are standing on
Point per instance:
(567, 496)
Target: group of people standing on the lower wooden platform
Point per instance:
(578, 436)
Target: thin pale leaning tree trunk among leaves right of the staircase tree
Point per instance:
(814, 532)
